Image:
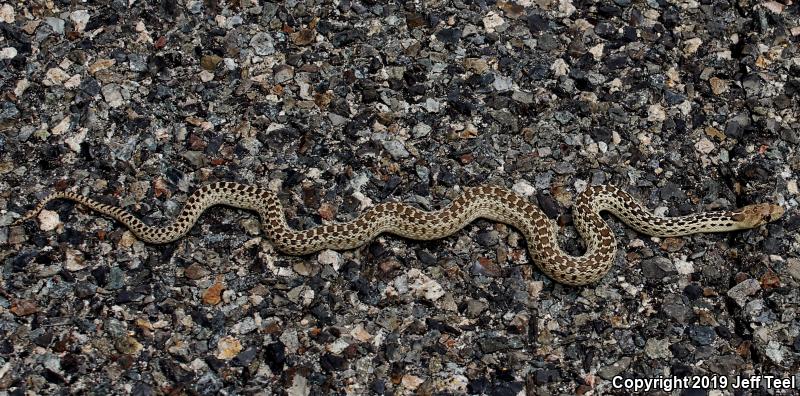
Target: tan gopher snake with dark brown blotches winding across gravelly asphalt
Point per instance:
(489, 202)
